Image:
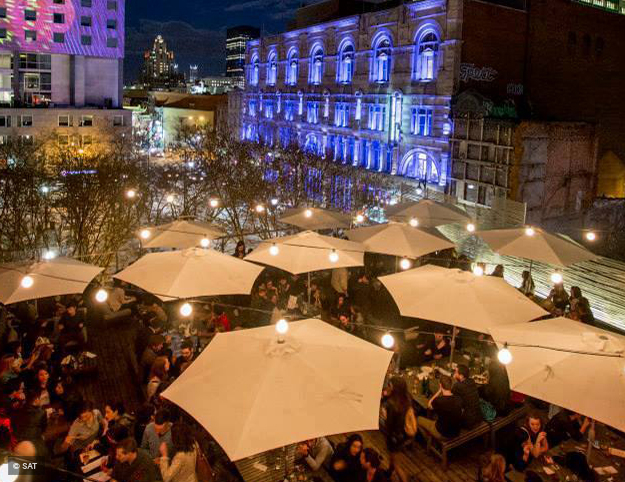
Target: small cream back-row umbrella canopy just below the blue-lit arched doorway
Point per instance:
(428, 213)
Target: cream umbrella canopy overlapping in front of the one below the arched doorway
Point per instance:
(398, 239)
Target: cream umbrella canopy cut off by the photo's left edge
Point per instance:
(56, 277)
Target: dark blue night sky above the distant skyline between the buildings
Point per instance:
(196, 29)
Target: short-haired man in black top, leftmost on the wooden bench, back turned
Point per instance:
(448, 410)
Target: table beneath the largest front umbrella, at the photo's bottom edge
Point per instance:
(251, 468)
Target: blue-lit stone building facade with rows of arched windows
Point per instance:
(371, 90)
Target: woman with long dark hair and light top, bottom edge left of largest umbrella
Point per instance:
(179, 466)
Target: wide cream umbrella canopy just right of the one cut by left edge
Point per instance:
(191, 273)
